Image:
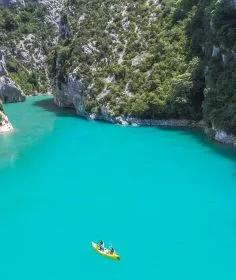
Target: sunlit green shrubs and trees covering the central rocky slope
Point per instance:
(143, 48)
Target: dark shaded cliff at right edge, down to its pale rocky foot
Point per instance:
(219, 56)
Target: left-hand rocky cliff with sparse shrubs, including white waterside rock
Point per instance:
(28, 29)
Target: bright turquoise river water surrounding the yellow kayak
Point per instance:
(166, 199)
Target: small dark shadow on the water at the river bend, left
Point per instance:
(49, 105)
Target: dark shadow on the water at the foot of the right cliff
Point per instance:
(226, 151)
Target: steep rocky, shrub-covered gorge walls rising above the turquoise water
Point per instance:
(144, 62)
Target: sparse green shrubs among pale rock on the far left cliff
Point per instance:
(27, 36)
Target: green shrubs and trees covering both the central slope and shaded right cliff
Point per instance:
(154, 61)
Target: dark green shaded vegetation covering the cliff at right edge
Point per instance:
(219, 106)
